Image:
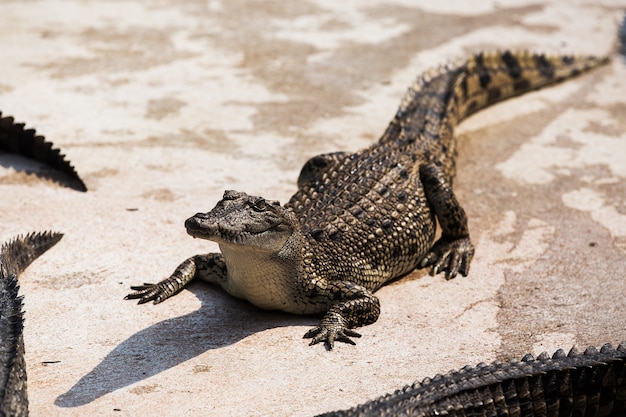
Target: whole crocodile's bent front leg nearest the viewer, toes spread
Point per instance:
(356, 307)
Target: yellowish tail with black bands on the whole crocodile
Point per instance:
(438, 100)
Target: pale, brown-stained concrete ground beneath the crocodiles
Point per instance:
(161, 105)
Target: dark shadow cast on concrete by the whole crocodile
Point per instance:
(219, 322)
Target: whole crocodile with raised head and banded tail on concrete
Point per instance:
(360, 220)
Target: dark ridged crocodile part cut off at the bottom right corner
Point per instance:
(592, 384)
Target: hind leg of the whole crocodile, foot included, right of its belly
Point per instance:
(454, 251)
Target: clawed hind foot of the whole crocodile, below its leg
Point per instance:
(451, 256)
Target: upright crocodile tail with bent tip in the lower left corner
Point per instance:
(15, 256)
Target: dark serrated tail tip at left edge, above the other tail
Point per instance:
(16, 139)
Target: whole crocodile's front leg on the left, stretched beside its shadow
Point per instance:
(210, 267)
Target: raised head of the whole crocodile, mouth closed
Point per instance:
(243, 220)
